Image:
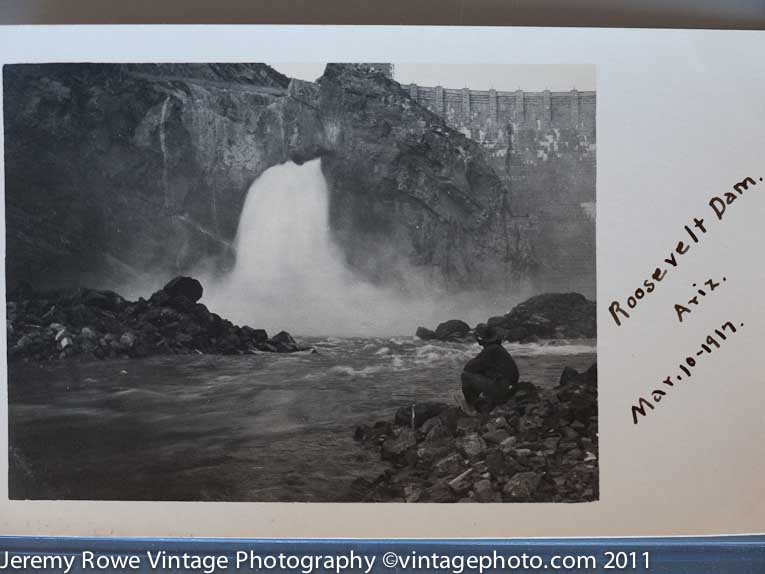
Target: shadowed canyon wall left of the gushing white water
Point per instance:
(117, 172)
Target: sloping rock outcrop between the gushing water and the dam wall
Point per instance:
(403, 182)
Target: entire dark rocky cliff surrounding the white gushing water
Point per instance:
(115, 172)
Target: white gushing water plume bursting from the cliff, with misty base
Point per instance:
(290, 274)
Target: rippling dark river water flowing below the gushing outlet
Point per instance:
(263, 427)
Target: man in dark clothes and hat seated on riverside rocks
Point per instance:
(492, 373)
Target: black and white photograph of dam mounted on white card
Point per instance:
(301, 282)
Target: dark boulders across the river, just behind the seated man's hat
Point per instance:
(546, 316)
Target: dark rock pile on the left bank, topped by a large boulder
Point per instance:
(102, 324)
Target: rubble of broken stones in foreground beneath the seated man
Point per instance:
(541, 446)
